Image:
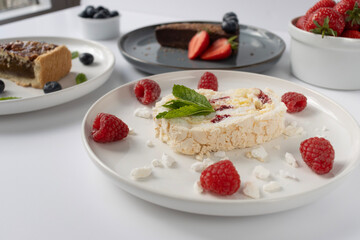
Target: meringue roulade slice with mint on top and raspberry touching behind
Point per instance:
(203, 120)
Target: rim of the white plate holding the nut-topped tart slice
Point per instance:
(109, 68)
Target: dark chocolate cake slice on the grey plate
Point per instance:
(178, 35)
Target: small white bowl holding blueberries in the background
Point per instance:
(101, 29)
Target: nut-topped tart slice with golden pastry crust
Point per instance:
(31, 63)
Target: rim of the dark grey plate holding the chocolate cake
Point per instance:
(122, 40)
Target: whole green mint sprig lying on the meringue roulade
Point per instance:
(188, 103)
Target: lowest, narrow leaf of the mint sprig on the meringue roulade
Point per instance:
(184, 112)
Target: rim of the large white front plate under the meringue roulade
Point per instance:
(112, 174)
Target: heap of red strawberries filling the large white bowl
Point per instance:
(326, 17)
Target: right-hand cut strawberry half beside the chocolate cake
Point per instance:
(220, 49)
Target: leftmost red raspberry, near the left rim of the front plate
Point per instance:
(108, 128)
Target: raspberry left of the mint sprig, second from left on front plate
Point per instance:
(147, 91)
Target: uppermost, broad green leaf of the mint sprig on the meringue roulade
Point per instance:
(190, 95)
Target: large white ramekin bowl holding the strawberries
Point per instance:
(329, 62)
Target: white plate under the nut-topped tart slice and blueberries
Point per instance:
(35, 99)
